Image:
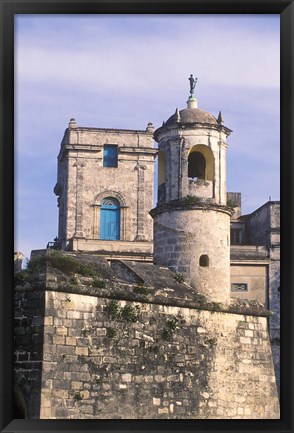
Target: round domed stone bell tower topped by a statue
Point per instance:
(192, 219)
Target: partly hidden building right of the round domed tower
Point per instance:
(255, 261)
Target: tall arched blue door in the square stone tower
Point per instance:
(110, 219)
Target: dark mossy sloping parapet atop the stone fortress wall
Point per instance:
(160, 285)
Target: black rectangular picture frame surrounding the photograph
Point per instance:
(8, 8)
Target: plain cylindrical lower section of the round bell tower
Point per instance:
(191, 229)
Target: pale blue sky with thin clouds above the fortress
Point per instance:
(123, 71)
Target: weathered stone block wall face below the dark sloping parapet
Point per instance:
(165, 362)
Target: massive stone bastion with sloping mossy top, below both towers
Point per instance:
(133, 350)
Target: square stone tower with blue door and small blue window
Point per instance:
(105, 190)
